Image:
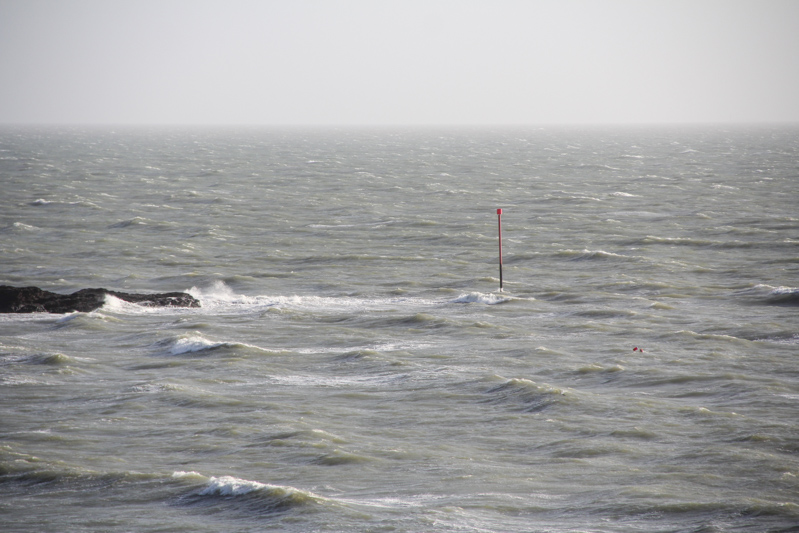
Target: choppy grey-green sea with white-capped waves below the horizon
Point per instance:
(354, 365)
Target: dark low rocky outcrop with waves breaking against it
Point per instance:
(36, 300)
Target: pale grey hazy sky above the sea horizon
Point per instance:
(357, 62)
